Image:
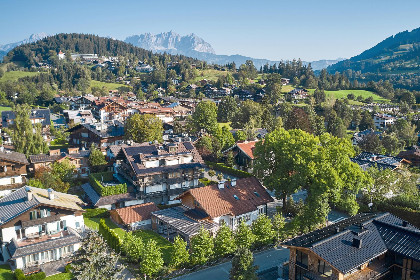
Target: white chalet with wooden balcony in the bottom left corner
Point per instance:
(39, 226)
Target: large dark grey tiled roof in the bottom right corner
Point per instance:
(378, 235)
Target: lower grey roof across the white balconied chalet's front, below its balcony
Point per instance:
(16, 251)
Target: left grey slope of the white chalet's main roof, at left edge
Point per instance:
(15, 204)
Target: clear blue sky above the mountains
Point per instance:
(309, 30)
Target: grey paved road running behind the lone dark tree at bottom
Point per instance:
(265, 260)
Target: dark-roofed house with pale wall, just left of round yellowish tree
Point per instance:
(101, 135)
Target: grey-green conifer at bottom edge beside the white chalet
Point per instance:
(95, 260)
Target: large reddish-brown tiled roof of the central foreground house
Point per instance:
(219, 202)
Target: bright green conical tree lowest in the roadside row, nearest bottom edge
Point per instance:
(152, 261)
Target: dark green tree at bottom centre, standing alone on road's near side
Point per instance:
(243, 267)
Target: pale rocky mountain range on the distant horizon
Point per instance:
(193, 46)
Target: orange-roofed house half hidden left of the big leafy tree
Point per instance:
(243, 153)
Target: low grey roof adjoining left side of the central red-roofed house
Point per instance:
(176, 218)
